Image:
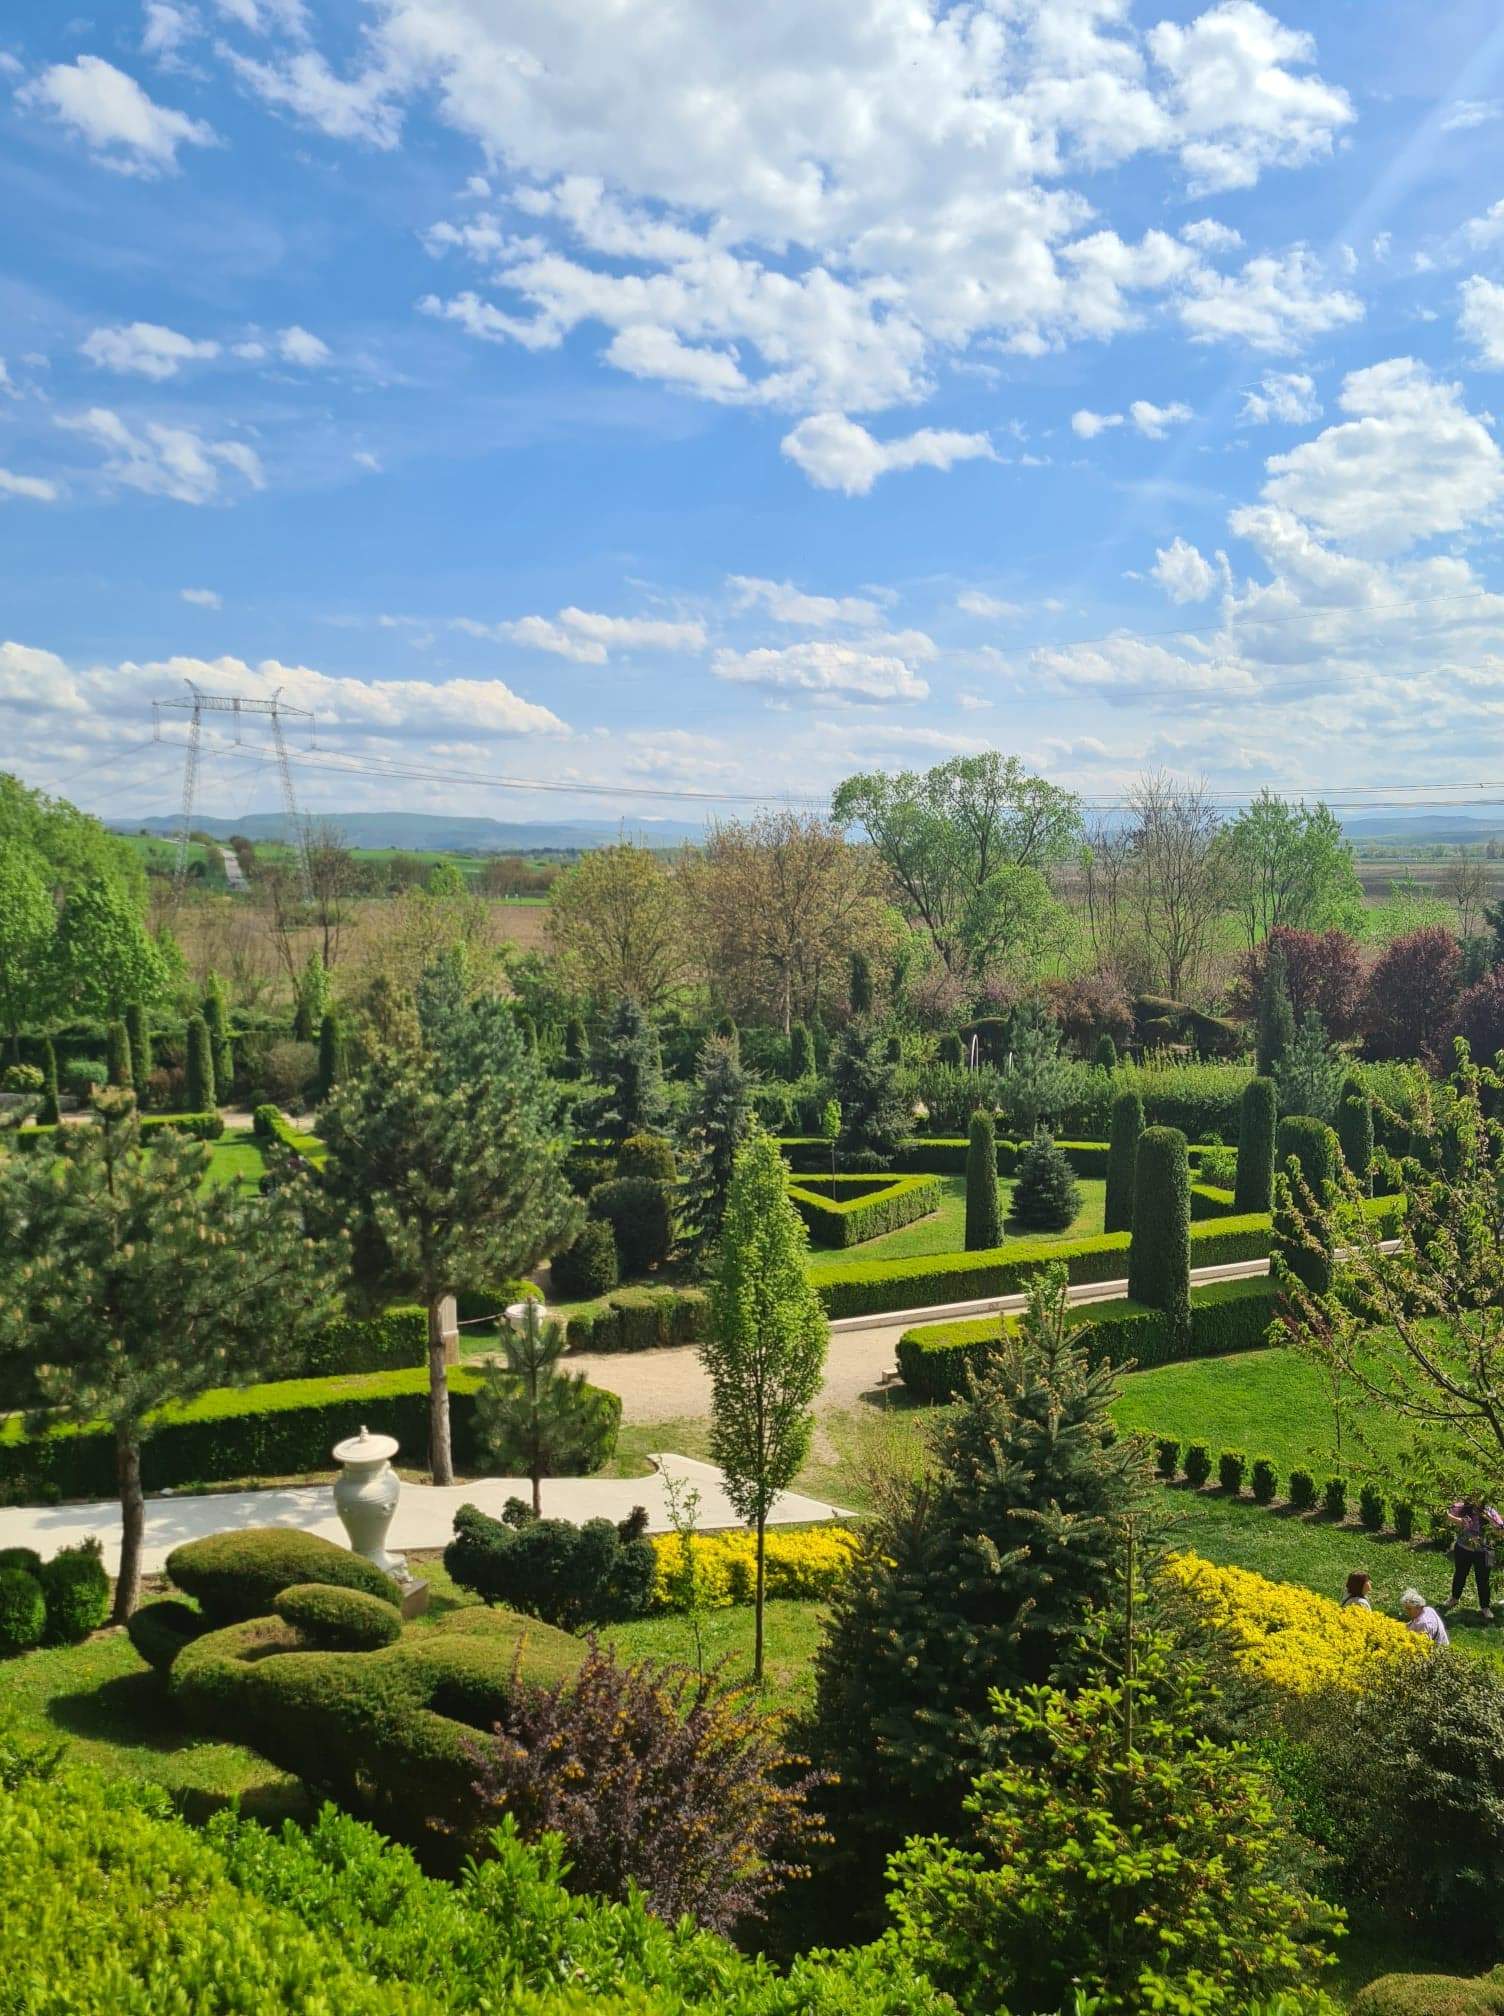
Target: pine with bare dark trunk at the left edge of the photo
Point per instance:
(128, 1283)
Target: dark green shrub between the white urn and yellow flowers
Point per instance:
(568, 1576)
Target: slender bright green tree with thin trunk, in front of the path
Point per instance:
(765, 1352)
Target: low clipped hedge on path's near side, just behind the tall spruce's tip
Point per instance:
(1229, 1315)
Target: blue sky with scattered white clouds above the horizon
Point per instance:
(699, 400)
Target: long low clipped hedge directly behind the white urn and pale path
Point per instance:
(267, 1432)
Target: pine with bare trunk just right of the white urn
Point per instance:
(449, 1158)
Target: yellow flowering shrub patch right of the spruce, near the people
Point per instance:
(1285, 1636)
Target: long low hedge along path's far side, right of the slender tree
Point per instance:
(874, 1287)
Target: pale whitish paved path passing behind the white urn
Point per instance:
(424, 1511)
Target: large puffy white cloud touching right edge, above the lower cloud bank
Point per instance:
(1408, 465)
